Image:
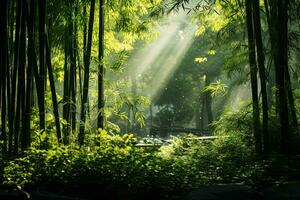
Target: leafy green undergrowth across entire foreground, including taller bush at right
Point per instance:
(113, 167)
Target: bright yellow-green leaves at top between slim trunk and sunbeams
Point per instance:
(127, 22)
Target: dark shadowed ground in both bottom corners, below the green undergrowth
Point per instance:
(287, 191)
